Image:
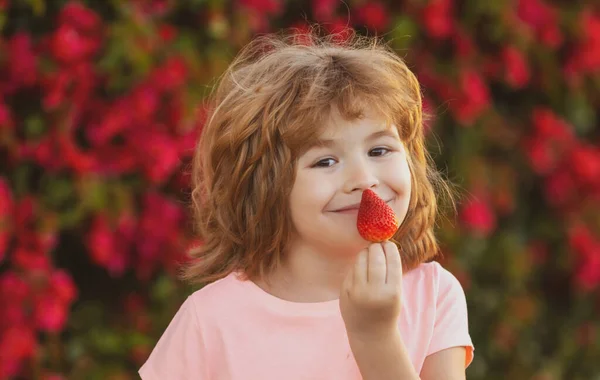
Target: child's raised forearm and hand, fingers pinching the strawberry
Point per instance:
(370, 306)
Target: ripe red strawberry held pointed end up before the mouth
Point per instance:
(376, 220)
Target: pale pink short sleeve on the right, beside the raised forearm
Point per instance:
(451, 327)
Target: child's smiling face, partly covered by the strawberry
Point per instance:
(330, 180)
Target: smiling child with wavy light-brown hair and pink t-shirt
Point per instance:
(299, 129)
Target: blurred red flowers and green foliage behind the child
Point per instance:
(101, 104)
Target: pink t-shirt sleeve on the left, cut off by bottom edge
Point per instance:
(180, 352)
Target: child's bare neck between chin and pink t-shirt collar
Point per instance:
(307, 275)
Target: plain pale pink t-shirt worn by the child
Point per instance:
(233, 330)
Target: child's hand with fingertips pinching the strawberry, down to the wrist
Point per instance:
(370, 300)
